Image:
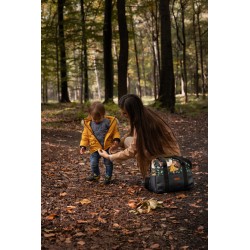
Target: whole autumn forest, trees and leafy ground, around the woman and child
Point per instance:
(101, 50)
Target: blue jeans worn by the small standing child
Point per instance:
(94, 164)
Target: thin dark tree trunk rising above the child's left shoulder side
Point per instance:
(84, 58)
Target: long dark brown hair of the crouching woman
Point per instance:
(152, 131)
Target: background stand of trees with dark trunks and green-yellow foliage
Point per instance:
(104, 49)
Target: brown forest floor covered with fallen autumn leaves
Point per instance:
(77, 214)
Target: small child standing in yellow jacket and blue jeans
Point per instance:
(100, 132)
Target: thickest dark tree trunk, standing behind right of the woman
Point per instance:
(167, 85)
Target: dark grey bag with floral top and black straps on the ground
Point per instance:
(169, 174)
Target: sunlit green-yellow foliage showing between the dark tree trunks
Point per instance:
(145, 16)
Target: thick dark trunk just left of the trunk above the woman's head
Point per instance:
(107, 49)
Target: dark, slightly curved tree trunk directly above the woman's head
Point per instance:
(123, 56)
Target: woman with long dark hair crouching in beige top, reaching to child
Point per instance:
(152, 136)
